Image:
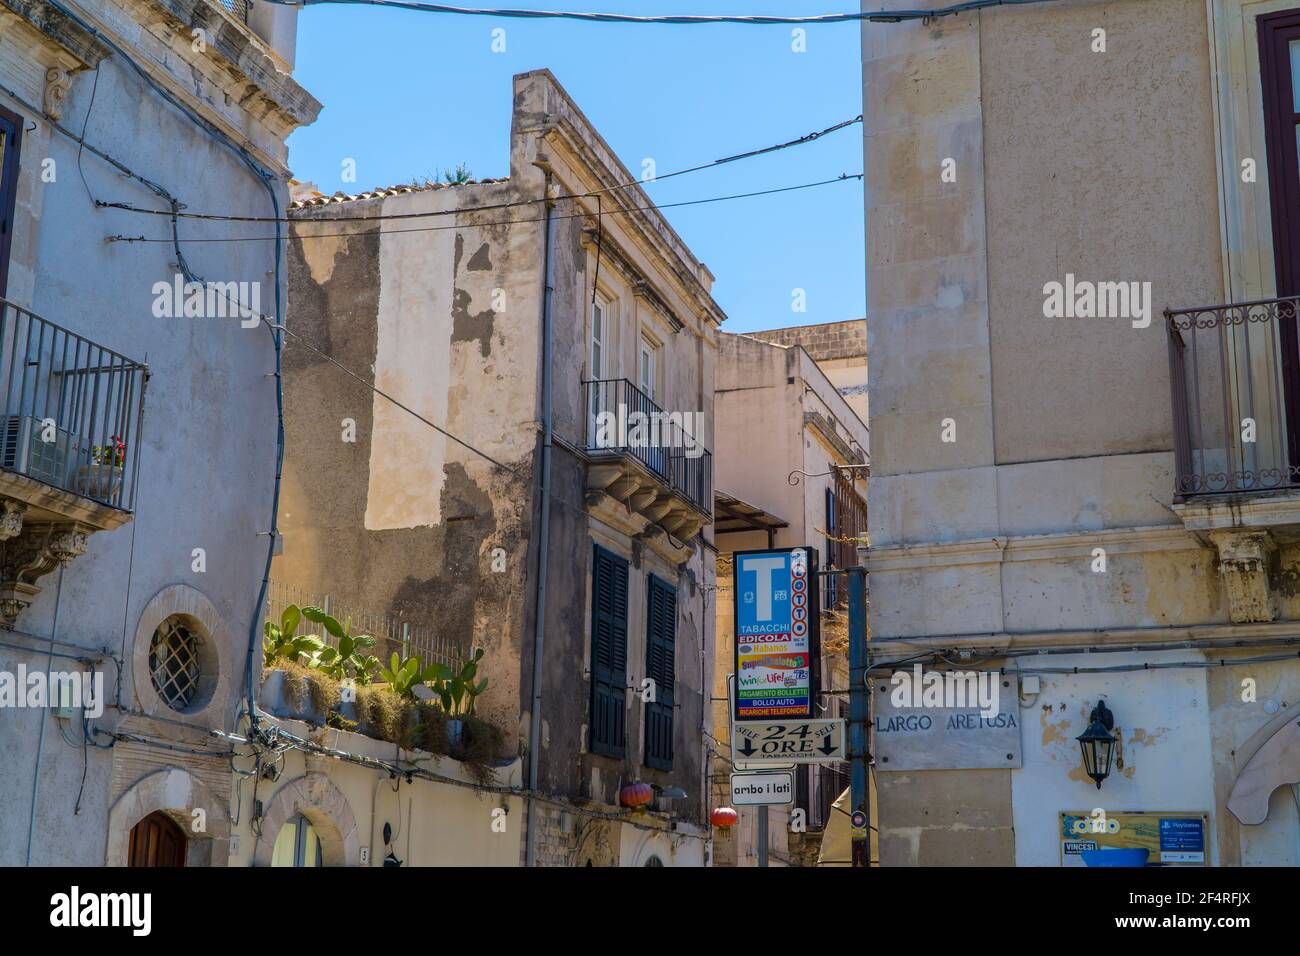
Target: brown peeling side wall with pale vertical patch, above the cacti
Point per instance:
(406, 521)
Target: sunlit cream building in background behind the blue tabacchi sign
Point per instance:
(807, 490)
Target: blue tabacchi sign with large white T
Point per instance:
(777, 613)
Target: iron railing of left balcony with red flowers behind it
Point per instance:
(71, 410)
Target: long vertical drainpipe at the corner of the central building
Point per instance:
(544, 537)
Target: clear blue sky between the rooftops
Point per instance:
(409, 94)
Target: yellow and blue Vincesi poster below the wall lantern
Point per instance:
(1172, 840)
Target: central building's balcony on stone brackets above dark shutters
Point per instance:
(648, 458)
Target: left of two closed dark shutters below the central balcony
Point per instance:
(609, 654)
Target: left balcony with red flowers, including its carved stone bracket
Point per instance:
(70, 435)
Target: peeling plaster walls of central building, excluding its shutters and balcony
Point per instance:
(450, 323)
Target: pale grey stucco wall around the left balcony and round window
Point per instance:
(207, 451)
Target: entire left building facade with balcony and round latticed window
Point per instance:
(140, 457)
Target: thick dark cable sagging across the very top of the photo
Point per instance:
(674, 20)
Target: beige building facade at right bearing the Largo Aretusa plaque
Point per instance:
(1065, 473)
